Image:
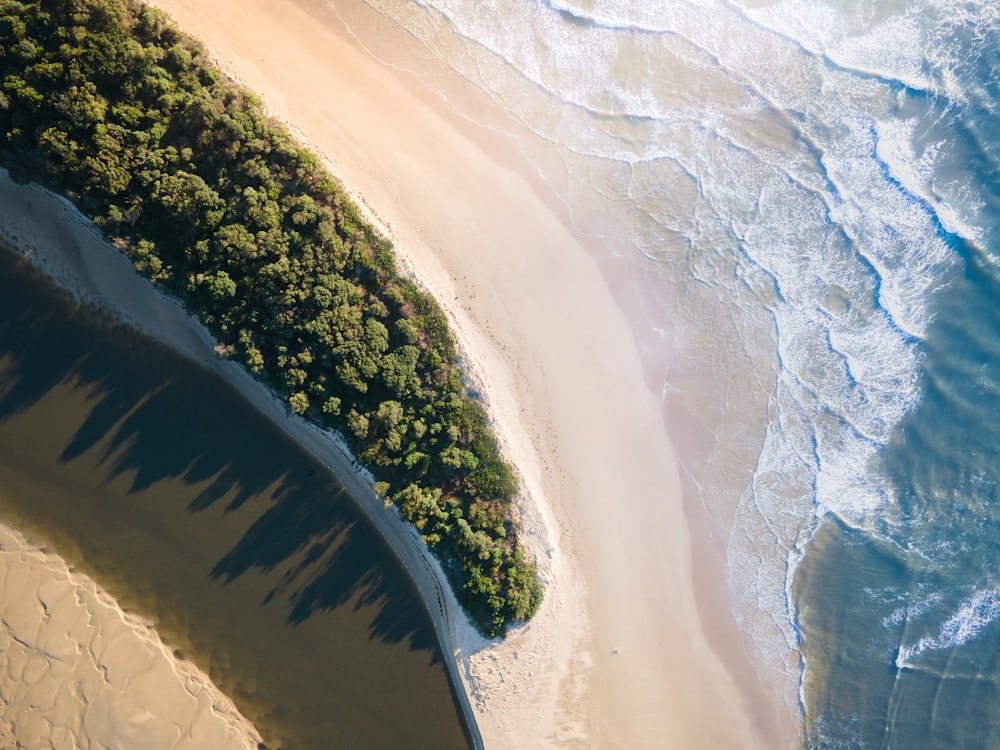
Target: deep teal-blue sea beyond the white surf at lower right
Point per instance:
(899, 611)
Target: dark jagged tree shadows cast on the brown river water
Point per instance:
(153, 415)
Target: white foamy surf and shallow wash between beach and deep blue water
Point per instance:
(791, 159)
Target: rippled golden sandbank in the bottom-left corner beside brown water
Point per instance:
(77, 672)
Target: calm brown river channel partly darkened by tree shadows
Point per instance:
(188, 506)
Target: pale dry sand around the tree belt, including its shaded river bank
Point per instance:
(619, 654)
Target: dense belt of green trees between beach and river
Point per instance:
(108, 103)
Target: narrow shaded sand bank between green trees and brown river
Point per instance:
(38, 222)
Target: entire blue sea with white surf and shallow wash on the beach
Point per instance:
(806, 193)
